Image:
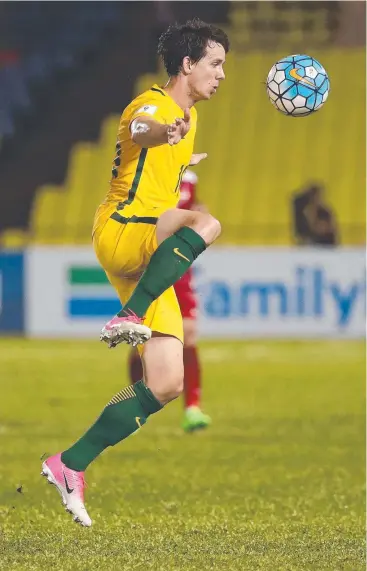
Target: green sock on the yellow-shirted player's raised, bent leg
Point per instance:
(168, 264)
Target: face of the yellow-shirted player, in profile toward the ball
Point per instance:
(207, 73)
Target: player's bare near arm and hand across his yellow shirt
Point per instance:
(147, 132)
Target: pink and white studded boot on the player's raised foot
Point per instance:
(129, 329)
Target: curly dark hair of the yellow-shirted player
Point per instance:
(189, 39)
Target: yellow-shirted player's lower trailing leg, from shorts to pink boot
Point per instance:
(130, 408)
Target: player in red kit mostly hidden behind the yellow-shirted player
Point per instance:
(194, 418)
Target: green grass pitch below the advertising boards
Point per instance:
(276, 484)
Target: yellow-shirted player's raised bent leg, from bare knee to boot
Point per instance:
(181, 236)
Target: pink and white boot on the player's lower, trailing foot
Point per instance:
(70, 484)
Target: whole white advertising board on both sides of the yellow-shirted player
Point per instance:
(253, 292)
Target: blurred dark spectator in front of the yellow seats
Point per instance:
(313, 221)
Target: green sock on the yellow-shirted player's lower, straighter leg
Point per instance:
(124, 414)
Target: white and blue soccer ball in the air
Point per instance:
(297, 85)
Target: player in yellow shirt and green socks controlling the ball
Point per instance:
(145, 244)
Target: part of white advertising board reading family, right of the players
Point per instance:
(282, 292)
